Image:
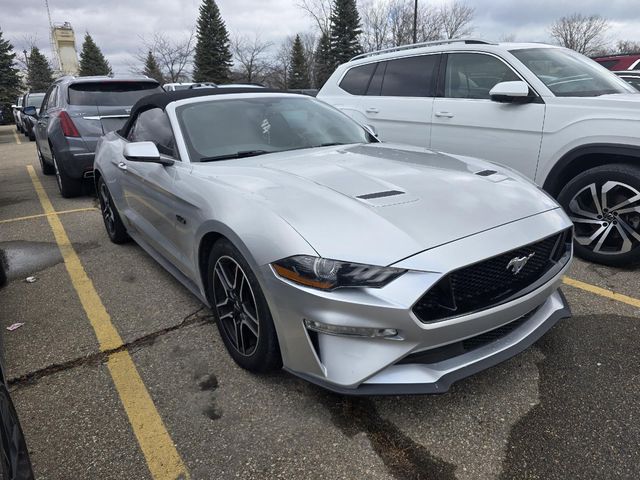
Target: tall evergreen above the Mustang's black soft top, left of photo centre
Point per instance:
(212, 59)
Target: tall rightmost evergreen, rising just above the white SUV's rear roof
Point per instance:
(345, 29)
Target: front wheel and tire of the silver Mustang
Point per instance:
(241, 310)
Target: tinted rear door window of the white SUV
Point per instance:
(410, 77)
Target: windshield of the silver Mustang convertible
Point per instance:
(233, 128)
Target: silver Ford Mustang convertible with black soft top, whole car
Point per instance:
(364, 267)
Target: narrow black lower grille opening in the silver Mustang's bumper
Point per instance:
(446, 352)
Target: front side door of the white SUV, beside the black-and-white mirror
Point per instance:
(467, 122)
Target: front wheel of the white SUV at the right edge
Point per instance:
(604, 205)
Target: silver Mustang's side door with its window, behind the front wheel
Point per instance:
(149, 188)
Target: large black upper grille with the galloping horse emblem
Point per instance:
(491, 282)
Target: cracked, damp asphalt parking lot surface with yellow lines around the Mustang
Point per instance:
(118, 372)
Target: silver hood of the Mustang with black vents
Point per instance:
(380, 203)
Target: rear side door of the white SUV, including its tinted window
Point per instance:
(399, 99)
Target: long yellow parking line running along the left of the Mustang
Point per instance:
(162, 458)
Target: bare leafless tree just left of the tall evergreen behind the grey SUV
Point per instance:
(173, 56)
